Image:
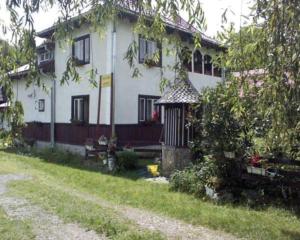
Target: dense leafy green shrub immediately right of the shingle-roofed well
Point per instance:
(216, 128)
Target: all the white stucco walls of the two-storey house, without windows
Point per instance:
(127, 88)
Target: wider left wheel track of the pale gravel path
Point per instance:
(46, 226)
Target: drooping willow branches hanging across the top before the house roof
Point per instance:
(151, 21)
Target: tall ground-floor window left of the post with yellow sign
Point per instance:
(80, 109)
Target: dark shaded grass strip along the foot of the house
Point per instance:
(68, 159)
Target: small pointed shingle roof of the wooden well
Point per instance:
(182, 91)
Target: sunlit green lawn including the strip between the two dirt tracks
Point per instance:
(270, 223)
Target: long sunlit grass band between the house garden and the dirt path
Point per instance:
(269, 223)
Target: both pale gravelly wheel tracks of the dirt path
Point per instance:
(48, 226)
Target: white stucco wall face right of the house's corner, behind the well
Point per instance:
(127, 88)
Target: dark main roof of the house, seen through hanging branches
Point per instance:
(131, 12)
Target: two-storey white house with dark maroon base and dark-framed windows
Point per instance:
(122, 105)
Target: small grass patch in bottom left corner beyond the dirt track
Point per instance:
(14, 230)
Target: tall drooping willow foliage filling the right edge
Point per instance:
(270, 93)
